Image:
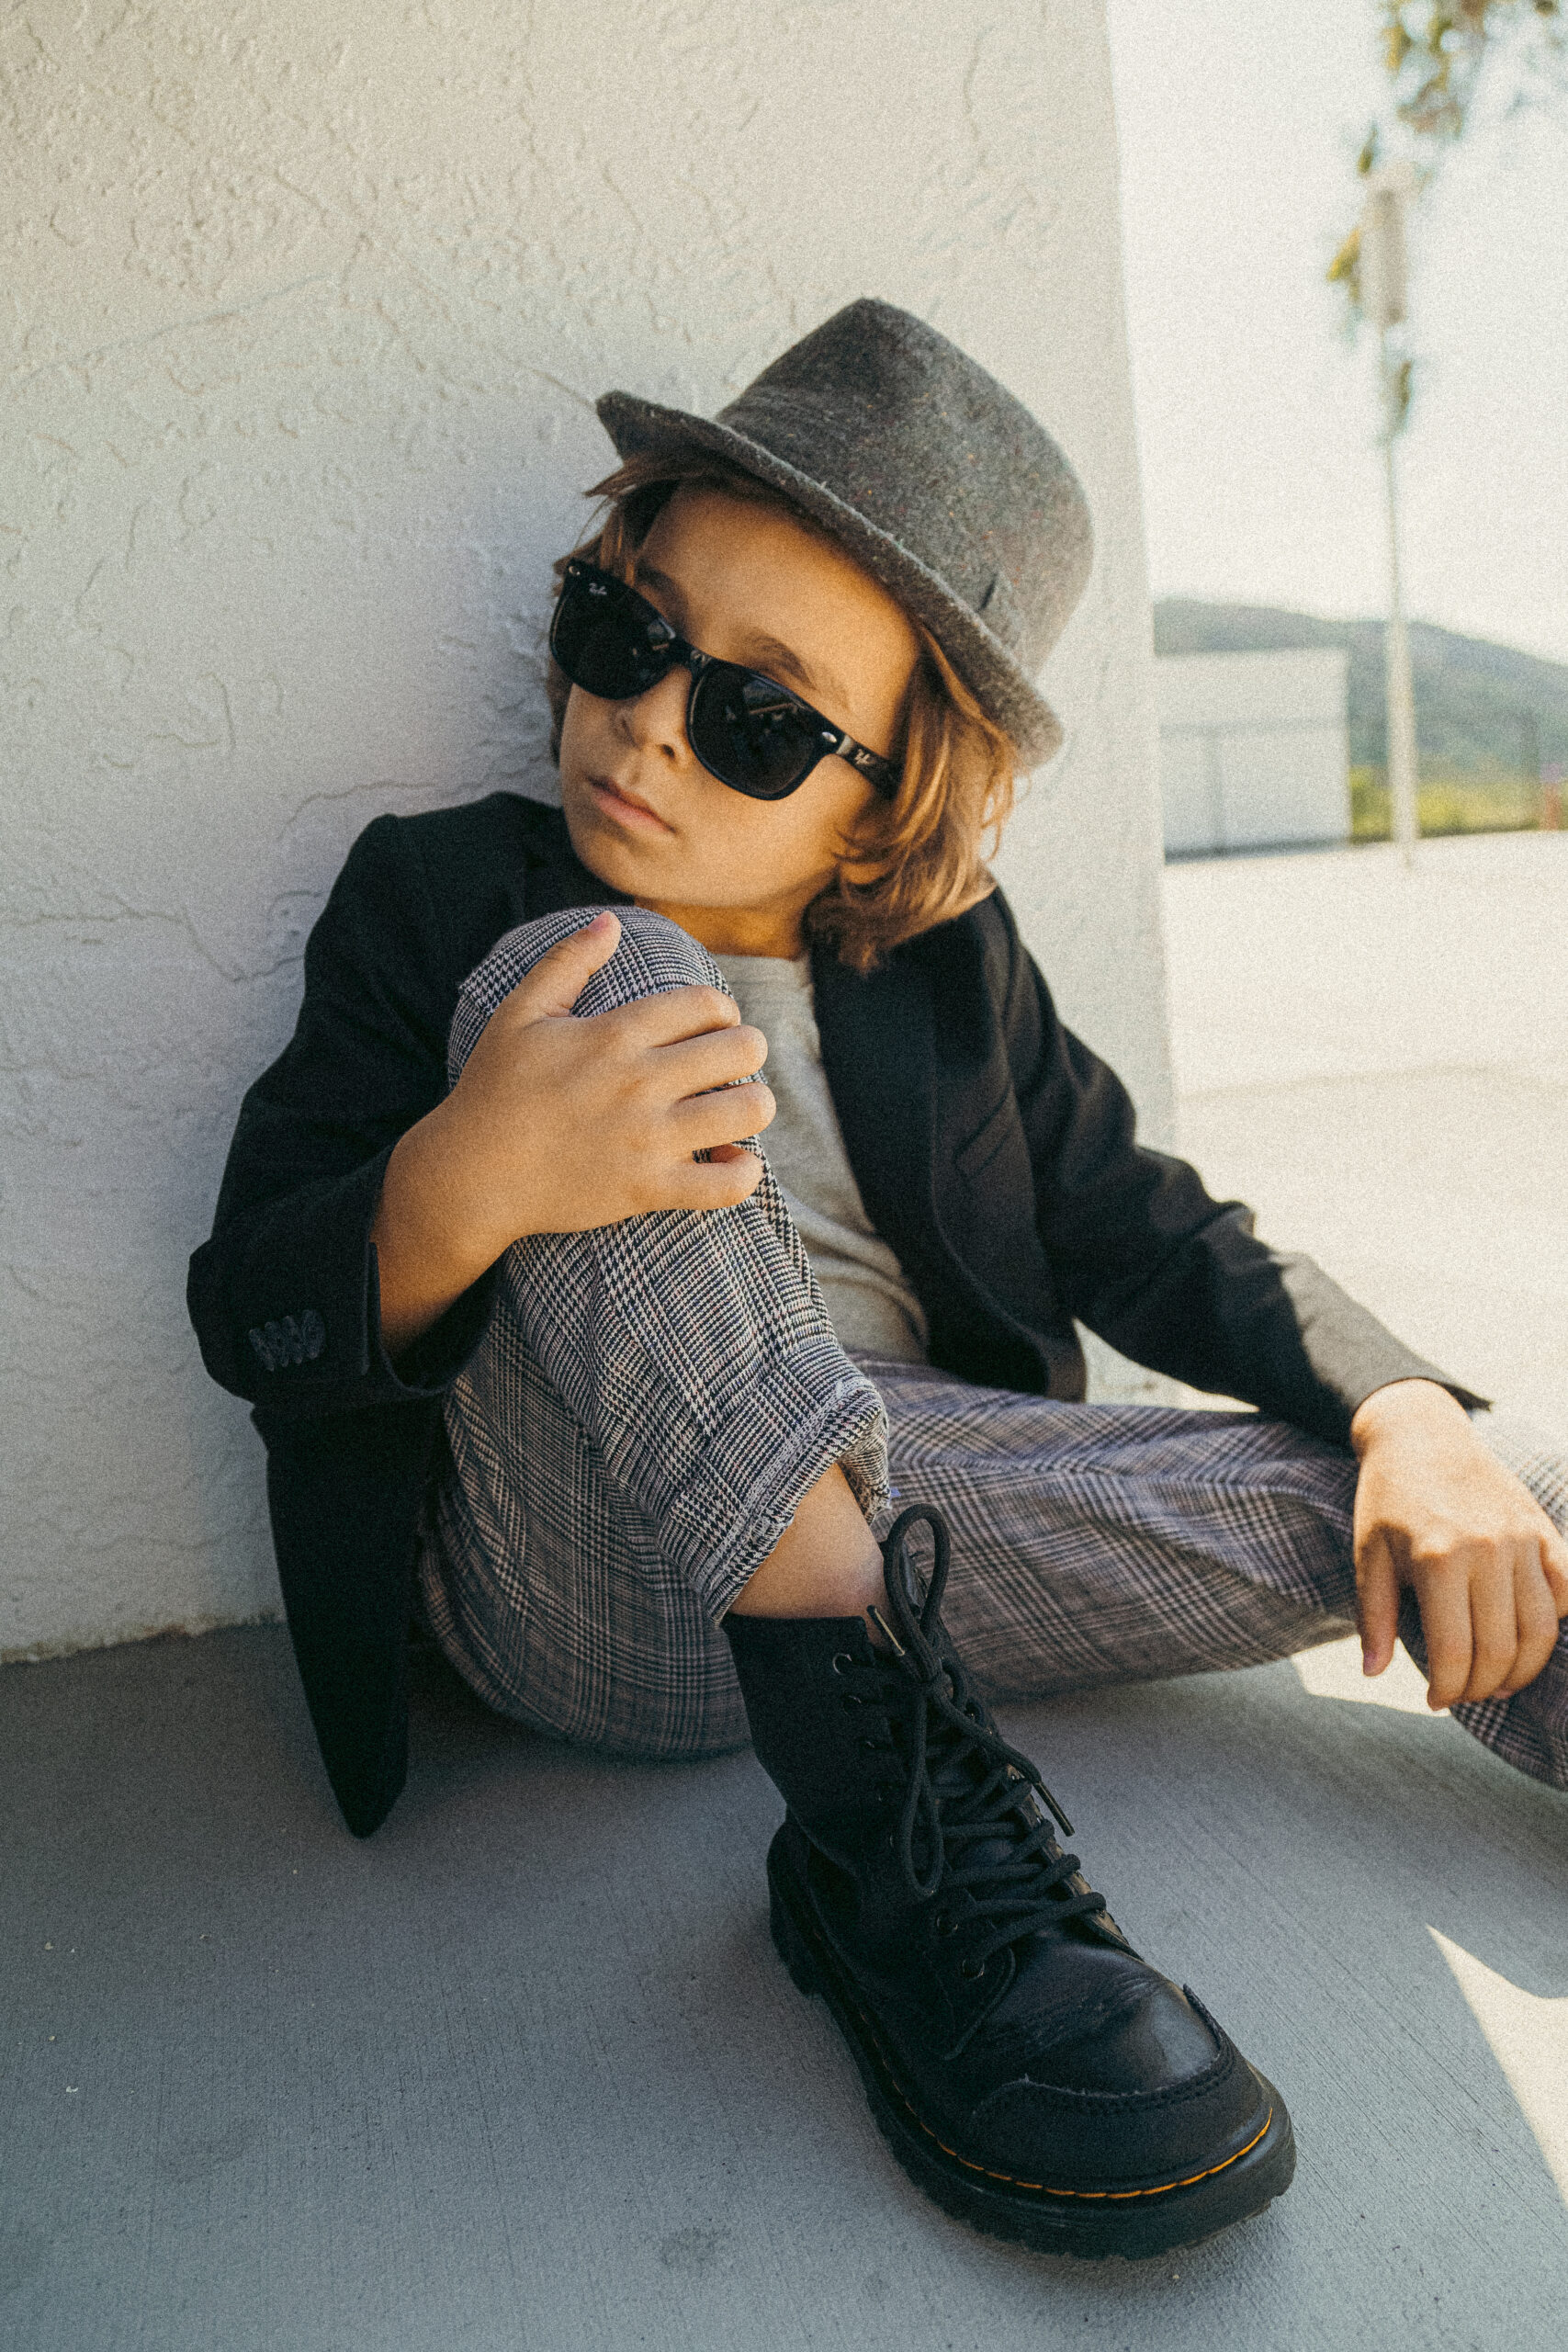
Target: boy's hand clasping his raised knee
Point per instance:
(561, 1125)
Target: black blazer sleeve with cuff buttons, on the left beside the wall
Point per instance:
(286, 1295)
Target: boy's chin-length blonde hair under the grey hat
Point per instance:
(925, 848)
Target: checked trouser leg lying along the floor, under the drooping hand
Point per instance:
(1130, 1542)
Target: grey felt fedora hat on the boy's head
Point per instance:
(937, 481)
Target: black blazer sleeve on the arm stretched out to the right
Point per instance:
(1162, 1271)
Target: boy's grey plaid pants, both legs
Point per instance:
(652, 1401)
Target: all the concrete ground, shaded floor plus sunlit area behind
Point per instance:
(525, 2073)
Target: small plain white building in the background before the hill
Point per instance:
(1254, 751)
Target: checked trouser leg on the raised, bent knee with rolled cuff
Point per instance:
(636, 1431)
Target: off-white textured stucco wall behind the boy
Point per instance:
(307, 307)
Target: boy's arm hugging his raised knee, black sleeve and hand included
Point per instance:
(351, 1158)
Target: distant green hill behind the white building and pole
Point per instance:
(1470, 697)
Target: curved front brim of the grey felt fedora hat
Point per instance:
(1003, 690)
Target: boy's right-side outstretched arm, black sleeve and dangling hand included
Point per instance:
(1184, 1283)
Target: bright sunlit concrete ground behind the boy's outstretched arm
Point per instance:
(1379, 1064)
